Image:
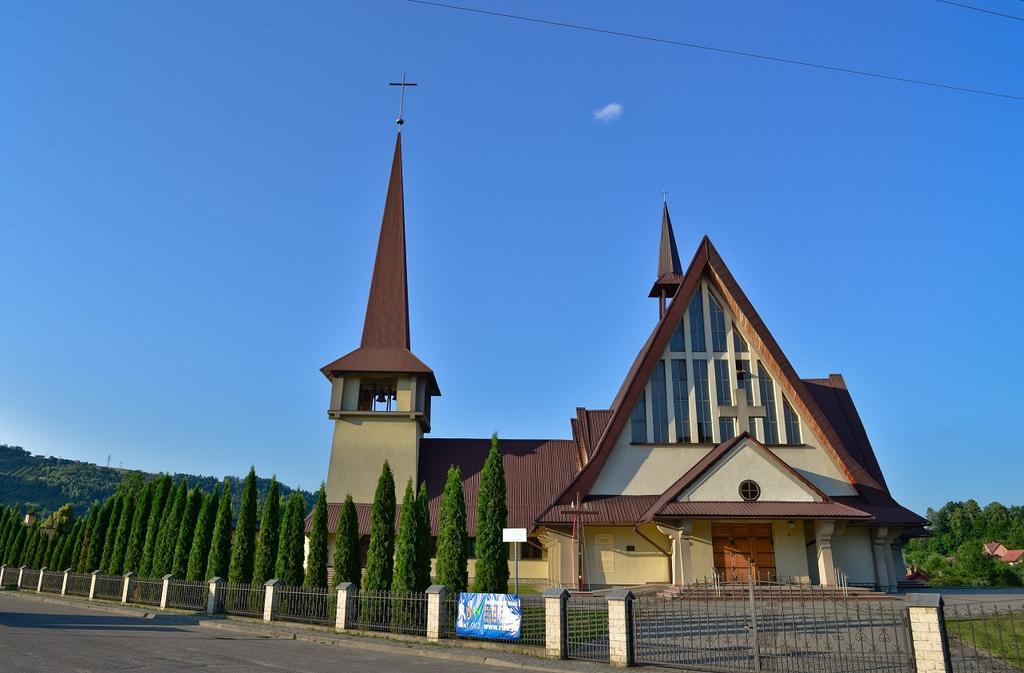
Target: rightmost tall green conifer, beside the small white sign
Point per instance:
(492, 514)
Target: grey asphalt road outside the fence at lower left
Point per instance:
(38, 637)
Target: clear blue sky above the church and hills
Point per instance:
(191, 194)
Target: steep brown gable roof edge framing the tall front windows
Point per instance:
(708, 262)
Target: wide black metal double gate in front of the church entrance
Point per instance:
(748, 627)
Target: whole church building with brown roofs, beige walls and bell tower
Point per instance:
(714, 460)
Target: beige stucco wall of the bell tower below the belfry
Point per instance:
(362, 444)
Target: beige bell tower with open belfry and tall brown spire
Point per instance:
(380, 393)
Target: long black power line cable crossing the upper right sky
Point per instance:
(735, 53)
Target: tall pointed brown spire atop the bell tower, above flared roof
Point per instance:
(387, 325)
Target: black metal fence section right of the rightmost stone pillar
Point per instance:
(986, 638)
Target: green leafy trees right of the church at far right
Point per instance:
(955, 553)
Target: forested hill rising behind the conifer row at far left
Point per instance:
(47, 483)
